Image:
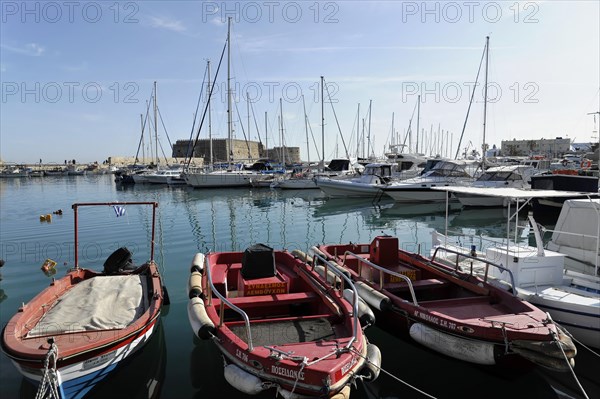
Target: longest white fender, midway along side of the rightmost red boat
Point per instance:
(450, 345)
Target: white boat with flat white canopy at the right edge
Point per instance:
(559, 278)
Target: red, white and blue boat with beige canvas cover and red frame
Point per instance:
(75, 332)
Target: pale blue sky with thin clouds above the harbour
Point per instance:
(76, 76)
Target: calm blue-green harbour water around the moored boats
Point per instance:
(176, 365)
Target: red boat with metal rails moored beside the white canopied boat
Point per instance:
(447, 310)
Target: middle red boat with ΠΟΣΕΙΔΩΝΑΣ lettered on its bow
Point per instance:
(279, 324)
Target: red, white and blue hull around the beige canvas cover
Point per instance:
(85, 356)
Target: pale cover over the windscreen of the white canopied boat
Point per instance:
(579, 217)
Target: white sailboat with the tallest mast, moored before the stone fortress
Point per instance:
(233, 176)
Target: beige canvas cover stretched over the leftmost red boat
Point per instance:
(99, 303)
